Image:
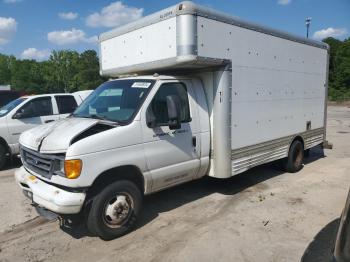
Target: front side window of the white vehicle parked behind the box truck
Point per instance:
(37, 107)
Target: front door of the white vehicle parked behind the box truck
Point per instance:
(33, 113)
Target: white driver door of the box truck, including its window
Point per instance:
(172, 155)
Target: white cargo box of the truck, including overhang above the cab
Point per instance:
(264, 87)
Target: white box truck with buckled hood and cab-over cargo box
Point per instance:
(197, 92)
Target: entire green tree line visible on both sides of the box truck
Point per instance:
(68, 71)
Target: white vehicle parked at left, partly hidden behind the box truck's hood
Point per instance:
(27, 112)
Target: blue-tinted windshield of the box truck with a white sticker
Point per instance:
(116, 101)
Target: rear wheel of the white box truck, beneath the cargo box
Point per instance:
(294, 162)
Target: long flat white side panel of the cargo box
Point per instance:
(278, 86)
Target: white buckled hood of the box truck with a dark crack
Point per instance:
(55, 137)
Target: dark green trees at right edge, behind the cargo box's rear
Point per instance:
(339, 69)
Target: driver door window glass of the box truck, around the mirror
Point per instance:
(159, 106)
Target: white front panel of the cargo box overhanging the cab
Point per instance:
(147, 44)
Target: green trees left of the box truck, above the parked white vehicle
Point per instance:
(65, 71)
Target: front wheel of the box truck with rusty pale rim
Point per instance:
(114, 210)
